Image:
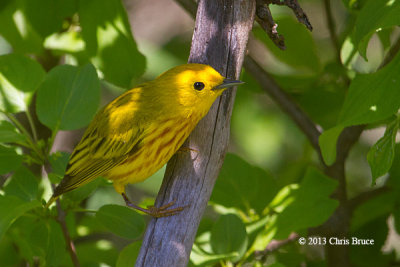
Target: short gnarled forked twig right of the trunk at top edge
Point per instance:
(266, 21)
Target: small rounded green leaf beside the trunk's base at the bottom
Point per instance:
(229, 235)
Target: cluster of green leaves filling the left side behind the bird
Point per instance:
(60, 97)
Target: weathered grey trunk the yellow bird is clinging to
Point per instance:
(219, 39)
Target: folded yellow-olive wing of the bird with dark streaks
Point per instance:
(110, 139)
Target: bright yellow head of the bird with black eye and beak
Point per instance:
(193, 87)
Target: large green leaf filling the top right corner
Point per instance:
(375, 15)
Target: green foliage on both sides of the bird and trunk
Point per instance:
(58, 57)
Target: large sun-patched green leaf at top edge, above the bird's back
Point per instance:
(109, 41)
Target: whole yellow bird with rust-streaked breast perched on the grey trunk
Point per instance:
(138, 132)
